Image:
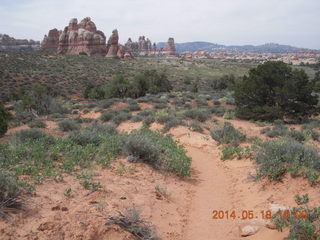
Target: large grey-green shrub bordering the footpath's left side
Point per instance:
(160, 151)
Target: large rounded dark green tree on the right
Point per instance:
(274, 91)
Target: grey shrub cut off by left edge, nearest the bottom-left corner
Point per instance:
(10, 192)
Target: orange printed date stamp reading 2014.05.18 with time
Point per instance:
(250, 214)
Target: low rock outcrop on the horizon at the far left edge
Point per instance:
(8, 43)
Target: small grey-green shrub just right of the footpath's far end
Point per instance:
(227, 134)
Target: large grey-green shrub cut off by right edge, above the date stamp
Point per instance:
(275, 158)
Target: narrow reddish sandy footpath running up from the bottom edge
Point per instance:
(212, 191)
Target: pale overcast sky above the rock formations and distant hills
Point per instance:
(228, 22)
